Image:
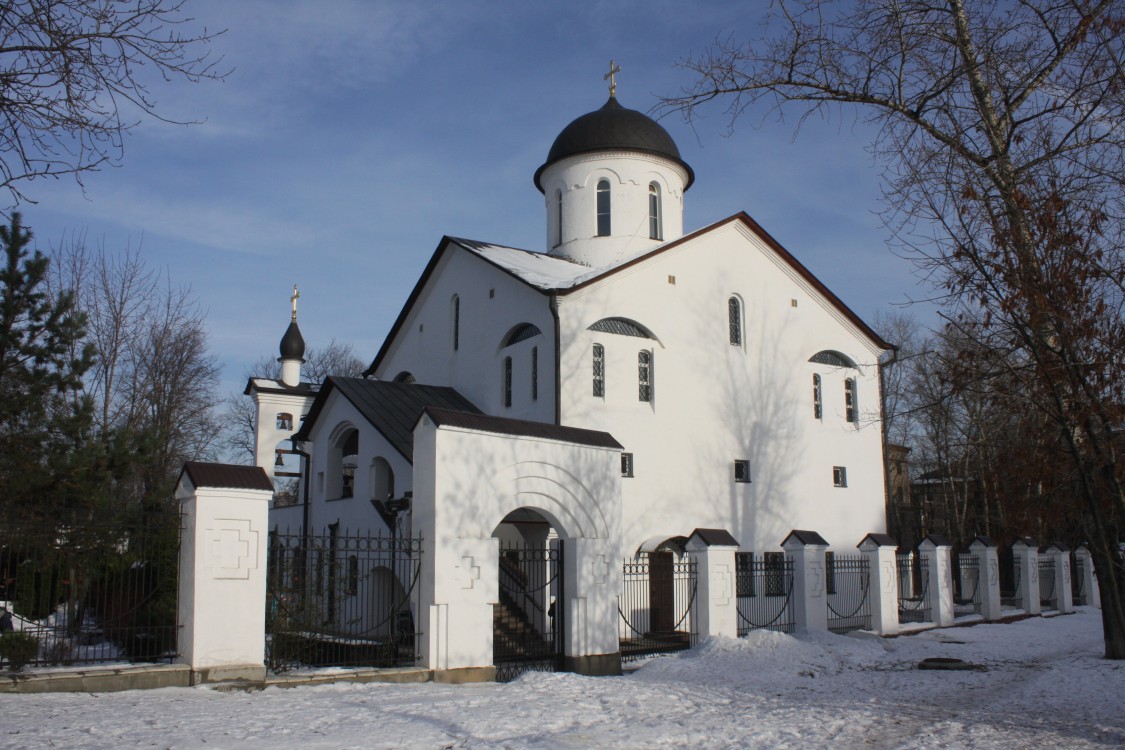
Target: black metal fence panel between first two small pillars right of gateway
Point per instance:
(766, 593)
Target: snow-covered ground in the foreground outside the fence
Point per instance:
(1046, 685)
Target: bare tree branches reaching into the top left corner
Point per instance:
(75, 76)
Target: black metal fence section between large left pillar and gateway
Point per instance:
(341, 600)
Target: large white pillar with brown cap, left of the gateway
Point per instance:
(222, 588)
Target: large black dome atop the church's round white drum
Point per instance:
(614, 129)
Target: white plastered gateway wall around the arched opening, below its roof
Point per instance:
(466, 483)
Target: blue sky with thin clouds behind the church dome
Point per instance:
(353, 135)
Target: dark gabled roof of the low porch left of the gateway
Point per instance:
(393, 409)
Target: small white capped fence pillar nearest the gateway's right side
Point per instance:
(716, 602)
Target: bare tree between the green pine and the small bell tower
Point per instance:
(154, 381)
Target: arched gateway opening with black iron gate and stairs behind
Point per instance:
(528, 618)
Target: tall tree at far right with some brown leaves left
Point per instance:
(1001, 128)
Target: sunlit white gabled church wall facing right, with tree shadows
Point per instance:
(715, 403)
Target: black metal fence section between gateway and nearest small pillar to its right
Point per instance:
(658, 598)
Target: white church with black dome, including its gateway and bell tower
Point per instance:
(619, 391)
